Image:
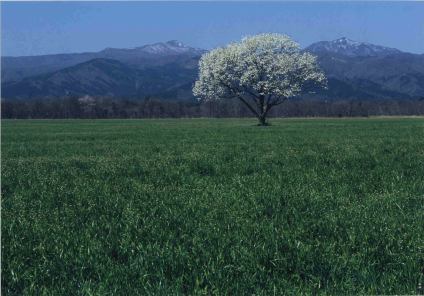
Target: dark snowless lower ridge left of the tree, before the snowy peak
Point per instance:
(106, 78)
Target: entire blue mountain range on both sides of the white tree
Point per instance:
(355, 70)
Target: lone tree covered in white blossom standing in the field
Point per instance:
(262, 71)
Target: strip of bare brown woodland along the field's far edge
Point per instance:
(89, 107)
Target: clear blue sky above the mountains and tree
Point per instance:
(34, 28)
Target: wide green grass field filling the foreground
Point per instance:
(212, 206)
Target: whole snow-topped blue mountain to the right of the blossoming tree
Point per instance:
(358, 69)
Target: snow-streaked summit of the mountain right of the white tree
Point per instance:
(347, 47)
